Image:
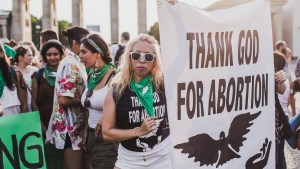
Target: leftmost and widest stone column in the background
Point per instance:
(21, 21)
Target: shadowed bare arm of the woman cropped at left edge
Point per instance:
(22, 92)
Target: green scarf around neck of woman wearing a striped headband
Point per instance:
(96, 76)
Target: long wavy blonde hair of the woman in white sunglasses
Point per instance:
(123, 78)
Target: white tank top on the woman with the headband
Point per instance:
(97, 102)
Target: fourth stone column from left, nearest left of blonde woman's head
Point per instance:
(114, 21)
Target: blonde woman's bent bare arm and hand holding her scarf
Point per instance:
(109, 130)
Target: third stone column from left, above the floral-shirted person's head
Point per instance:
(77, 13)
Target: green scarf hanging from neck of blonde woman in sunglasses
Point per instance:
(144, 91)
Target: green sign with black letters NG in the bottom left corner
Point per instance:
(21, 142)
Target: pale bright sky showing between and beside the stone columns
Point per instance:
(97, 12)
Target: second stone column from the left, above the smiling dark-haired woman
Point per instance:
(49, 19)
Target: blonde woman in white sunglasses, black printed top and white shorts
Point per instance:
(144, 139)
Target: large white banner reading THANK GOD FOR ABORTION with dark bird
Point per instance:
(219, 80)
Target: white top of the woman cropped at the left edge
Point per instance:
(9, 98)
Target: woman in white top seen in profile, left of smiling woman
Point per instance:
(23, 61)
